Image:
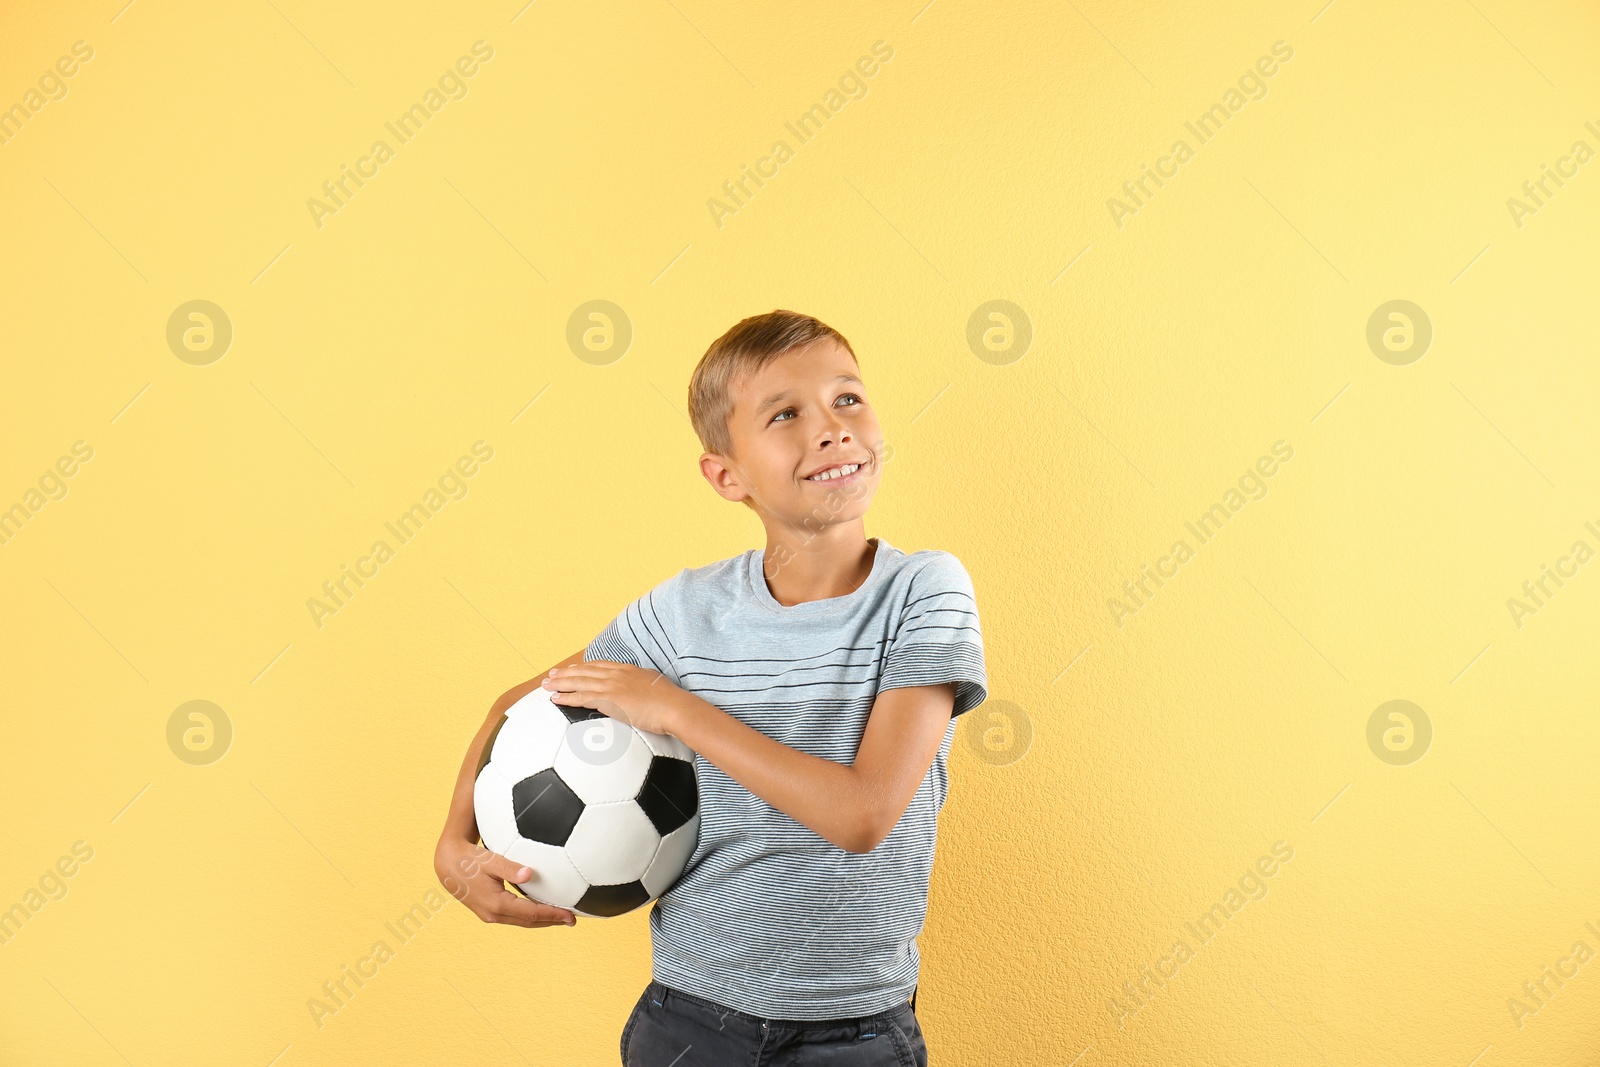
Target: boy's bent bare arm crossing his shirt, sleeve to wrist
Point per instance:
(857, 805)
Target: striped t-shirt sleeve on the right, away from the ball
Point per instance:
(938, 637)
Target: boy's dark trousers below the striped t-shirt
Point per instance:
(673, 1029)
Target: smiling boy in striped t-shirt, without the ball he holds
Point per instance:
(818, 682)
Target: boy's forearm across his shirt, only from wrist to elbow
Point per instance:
(815, 793)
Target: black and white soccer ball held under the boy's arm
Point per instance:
(606, 815)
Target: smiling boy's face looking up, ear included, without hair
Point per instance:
(802, 414)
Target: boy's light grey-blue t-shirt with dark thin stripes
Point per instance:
(770, 917)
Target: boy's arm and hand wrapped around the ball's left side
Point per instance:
(473, 874)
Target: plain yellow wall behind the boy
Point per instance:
(1150, 764)
